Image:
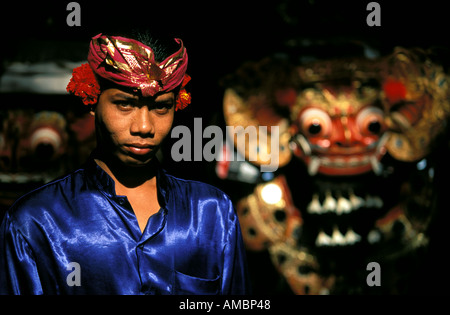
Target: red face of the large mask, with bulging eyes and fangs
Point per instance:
(339, 130)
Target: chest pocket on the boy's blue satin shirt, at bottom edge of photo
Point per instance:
(185, 284)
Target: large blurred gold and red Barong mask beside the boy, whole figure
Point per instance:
(355, 182)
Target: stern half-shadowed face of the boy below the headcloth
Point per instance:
(132, 128)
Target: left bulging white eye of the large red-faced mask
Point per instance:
(315, 122)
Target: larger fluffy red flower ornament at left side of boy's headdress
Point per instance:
(84, 85)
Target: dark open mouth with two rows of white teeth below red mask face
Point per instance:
(342, 212)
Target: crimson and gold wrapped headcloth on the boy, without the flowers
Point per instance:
(130, 63)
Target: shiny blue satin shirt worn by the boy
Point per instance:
(76, 236)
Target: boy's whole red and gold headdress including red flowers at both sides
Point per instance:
(130, 63)
